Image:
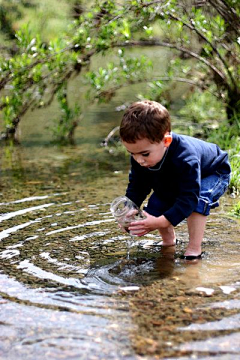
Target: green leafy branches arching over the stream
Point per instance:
(206, 31)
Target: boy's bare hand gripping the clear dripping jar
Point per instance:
(143, 227)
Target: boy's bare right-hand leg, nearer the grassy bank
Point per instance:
(196, 226)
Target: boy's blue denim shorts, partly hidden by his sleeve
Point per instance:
(212, 188)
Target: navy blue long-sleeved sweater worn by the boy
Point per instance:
(178, 180)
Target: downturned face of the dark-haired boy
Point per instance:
(147, 154)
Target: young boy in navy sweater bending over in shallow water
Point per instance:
(187, 175)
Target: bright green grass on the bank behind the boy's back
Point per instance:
(208, 117)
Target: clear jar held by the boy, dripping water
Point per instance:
(125, 211)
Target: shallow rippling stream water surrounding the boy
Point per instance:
(67, 289)
